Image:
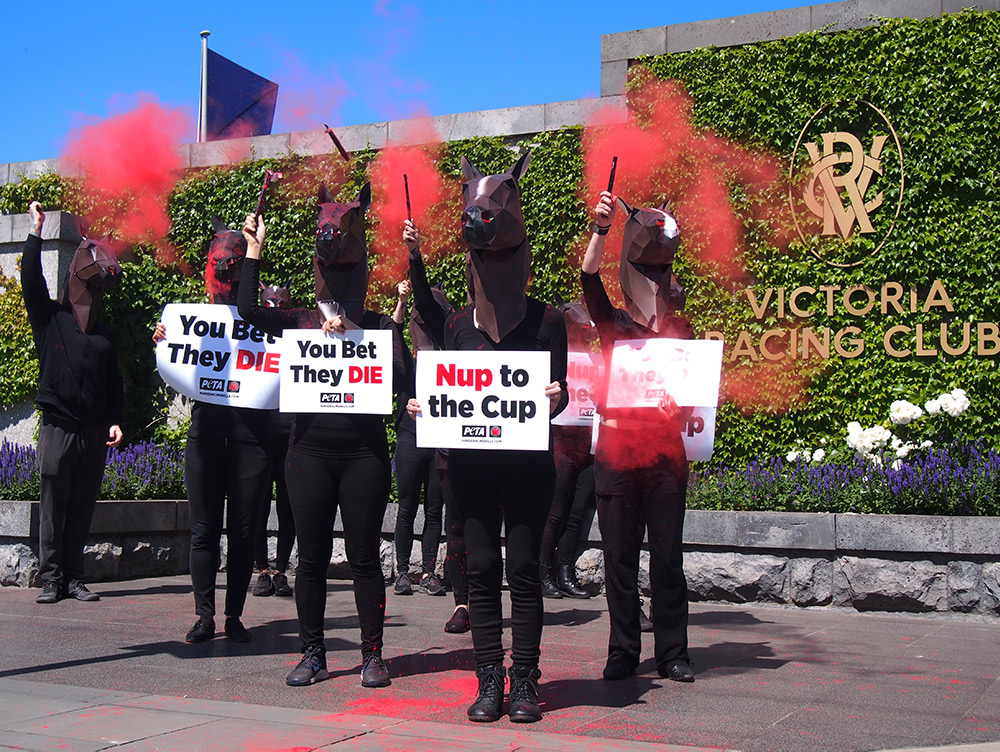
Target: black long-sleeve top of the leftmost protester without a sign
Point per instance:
(79, 380)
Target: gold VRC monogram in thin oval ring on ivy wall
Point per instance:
(843, 186)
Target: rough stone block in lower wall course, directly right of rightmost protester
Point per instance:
(736, 577)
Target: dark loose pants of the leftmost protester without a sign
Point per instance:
(71, 466)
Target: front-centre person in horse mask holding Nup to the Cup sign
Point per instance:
(499, 487)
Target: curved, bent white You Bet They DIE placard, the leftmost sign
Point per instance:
(212, 355)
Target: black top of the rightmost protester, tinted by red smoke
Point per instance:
(614, 324)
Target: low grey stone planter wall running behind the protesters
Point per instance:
(868, 562)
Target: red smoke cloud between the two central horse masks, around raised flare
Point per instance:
(432, 202)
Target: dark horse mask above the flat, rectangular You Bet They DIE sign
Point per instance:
(341, 261)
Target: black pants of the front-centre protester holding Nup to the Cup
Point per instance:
(513, 489)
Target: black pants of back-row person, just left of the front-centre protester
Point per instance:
(415, 472)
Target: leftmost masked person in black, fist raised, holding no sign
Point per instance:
(81, 398)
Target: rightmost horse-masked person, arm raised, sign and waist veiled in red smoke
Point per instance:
(640, 468)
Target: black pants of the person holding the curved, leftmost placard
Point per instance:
(232, 477)
